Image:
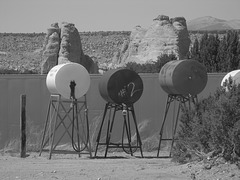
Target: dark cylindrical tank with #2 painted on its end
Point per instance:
(121, 86)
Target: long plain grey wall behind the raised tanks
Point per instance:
(149, 108)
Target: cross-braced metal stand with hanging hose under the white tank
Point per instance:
(59, 110)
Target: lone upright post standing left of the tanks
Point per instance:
(23, 125)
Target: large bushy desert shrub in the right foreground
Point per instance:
(211, 128)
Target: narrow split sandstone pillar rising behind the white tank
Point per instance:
(64, 45)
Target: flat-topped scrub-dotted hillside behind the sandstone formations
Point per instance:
(22, 52)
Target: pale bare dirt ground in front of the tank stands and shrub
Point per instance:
(116, 166)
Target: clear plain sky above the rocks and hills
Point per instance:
(28, 16)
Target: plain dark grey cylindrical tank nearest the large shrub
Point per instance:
(183, 77)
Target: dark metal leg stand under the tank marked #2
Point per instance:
(128, 147)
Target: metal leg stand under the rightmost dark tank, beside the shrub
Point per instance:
(183, 101)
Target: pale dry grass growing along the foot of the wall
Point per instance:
(150, 141)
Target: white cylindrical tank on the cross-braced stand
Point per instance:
(60, 76)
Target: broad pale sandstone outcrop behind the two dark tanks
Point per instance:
(164, 36)
